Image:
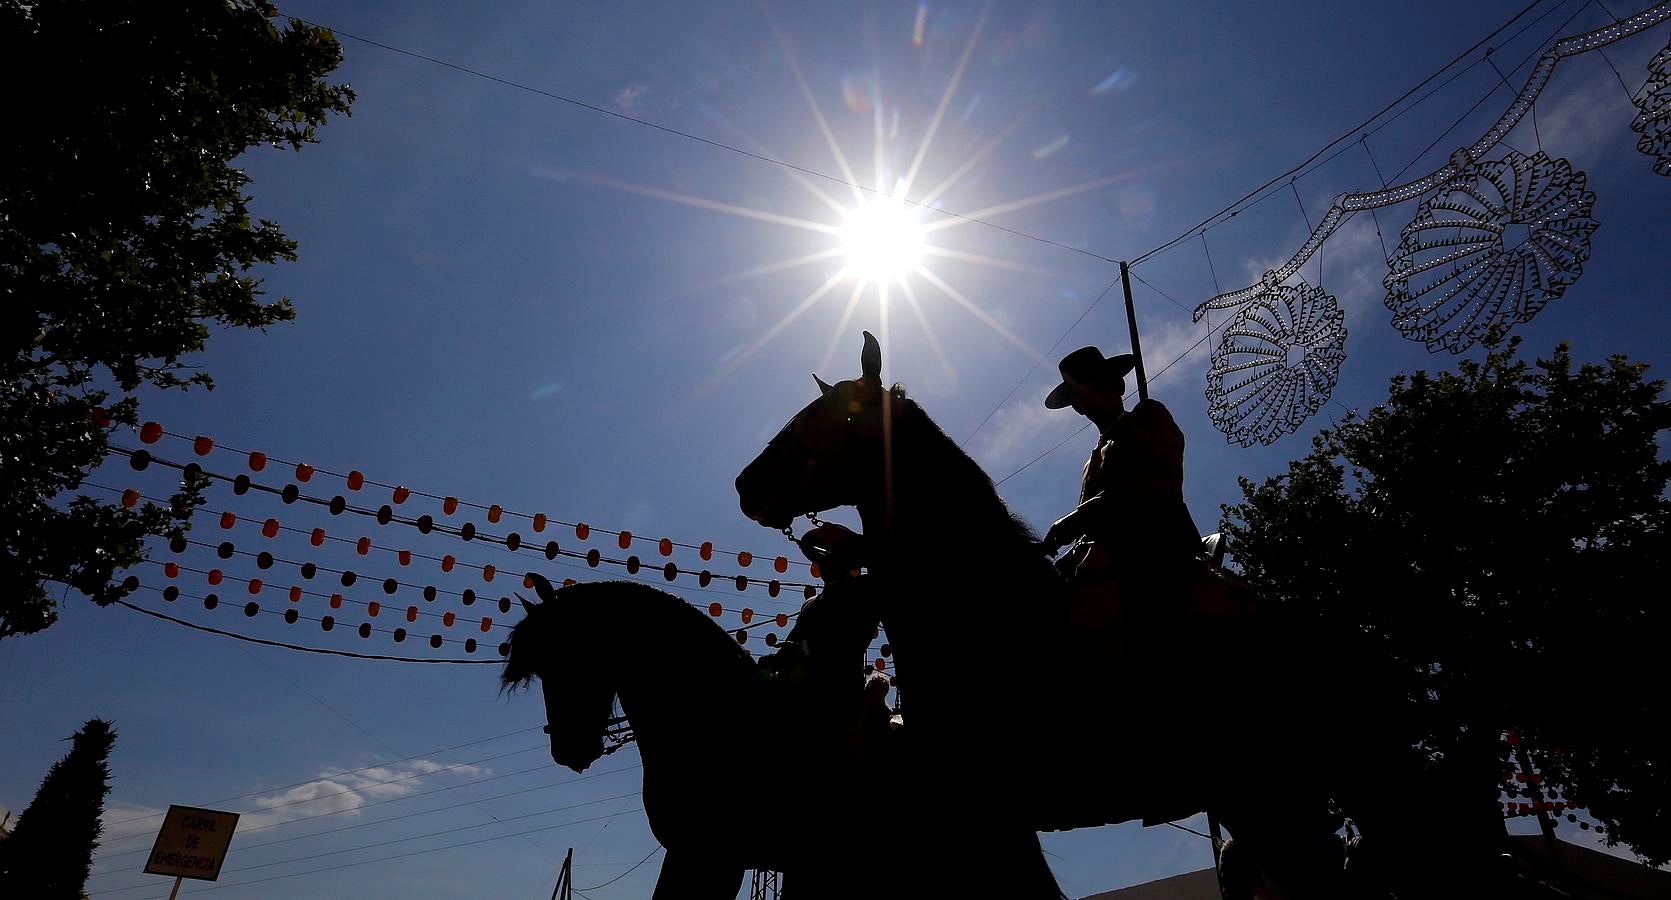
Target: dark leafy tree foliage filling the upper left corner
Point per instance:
(124, 238)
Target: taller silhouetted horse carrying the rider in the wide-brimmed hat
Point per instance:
(1187, 715)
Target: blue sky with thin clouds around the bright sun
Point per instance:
(510, 300)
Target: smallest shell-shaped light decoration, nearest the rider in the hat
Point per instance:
(1277, 363)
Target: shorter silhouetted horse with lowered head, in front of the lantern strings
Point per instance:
(724, 787)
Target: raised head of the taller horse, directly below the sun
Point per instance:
(828, 453)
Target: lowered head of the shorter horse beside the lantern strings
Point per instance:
(554, 645)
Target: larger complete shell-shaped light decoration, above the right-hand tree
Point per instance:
(1491, 248)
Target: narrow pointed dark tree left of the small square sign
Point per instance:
(53, 847)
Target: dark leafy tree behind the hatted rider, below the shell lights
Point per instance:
(1493, 544)
